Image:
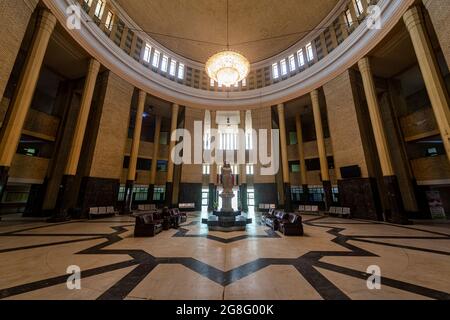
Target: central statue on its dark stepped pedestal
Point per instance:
(227, 219)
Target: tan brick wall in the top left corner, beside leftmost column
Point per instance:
(15, 16)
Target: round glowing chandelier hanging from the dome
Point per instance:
(227, 67)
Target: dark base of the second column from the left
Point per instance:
(64, 201)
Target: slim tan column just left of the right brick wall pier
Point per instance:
(322, 150)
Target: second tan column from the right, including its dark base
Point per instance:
(393, 196)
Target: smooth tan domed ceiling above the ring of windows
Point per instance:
(196, 29)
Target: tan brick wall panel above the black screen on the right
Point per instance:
(343, 122)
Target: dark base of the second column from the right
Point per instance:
(397, 213)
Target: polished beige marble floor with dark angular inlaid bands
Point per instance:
(329, 262)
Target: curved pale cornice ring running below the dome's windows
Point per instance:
(356, 46)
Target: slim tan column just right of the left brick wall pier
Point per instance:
(134, 152)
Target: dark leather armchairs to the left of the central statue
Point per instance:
(152, 222)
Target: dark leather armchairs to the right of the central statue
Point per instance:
(290, 224)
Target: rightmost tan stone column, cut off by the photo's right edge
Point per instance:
(437, 92)
